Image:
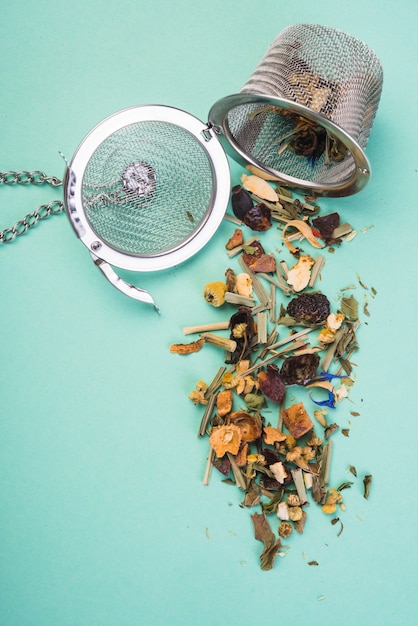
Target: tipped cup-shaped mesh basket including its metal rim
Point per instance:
(316, 85)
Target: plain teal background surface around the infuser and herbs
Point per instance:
(104, 520)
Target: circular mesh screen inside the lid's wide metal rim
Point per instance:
(148, 188)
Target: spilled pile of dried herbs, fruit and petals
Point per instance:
(283, 335)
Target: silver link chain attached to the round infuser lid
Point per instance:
(41, 212)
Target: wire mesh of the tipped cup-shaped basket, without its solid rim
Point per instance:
(336, 76)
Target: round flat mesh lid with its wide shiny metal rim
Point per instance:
(147, 188)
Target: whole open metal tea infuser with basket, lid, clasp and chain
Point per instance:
(148, 187)
